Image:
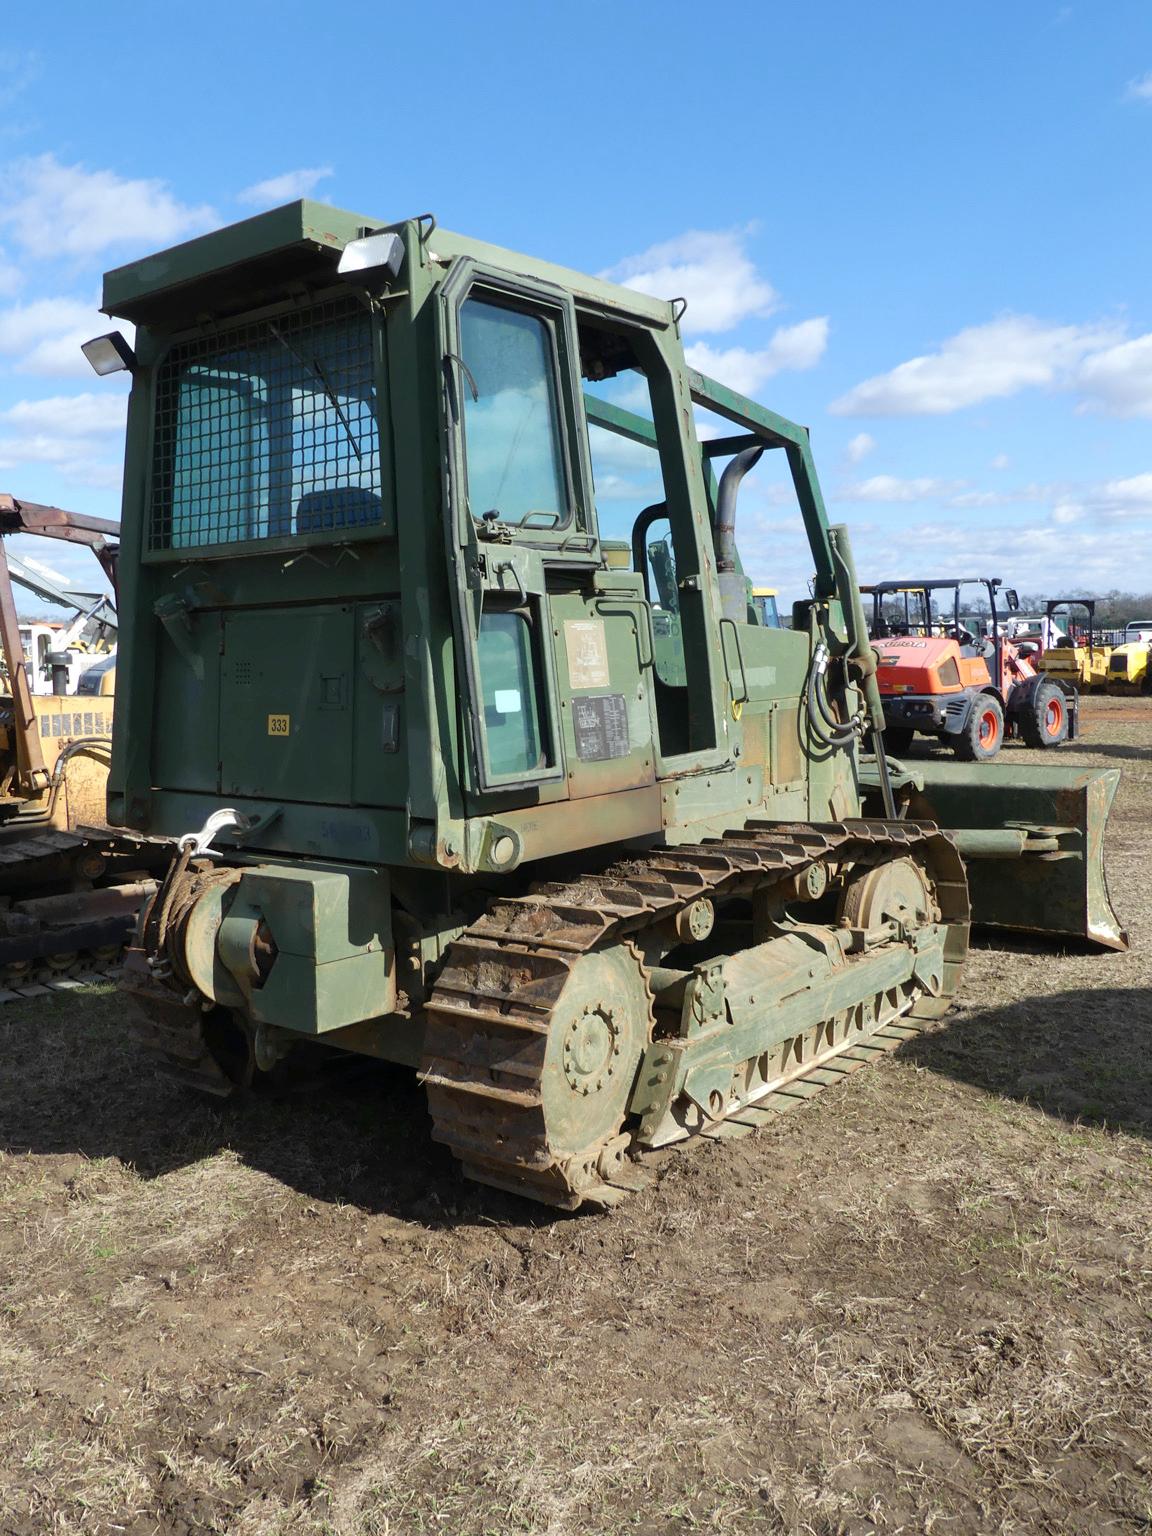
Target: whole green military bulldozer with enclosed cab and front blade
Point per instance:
(460, 784)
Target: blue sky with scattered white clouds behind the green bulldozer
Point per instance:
(922, 230)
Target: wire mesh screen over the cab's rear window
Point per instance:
(268, 429)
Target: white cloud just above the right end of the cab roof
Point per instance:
(710, 270)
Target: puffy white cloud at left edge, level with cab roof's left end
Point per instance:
(55, 210)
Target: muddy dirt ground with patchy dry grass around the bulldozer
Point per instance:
(924, 1303)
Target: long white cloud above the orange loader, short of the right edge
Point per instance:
(981, 363)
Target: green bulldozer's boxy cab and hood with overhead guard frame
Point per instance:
(426, 560)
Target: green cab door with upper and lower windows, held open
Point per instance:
(555, 650)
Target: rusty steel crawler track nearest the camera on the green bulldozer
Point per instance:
(491, 1011)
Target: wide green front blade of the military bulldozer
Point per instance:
(1033, 841)
